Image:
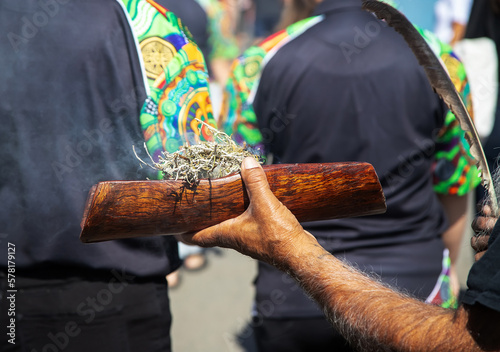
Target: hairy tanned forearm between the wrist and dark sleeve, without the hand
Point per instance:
(375, 317)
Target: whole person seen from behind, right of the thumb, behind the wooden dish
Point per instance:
(295, 120)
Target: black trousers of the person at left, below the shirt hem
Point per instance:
(86, 316)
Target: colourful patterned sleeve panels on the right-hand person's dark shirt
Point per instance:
(454, 170)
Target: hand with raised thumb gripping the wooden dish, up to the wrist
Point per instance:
(266, 231)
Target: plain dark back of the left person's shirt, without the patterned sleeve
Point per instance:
(71, 88)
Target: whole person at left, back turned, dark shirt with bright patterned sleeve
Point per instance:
(78, 86)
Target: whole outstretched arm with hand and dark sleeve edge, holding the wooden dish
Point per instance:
(369, 314)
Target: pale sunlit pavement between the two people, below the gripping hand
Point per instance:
(211, 306)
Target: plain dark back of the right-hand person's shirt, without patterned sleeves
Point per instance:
(350, 89)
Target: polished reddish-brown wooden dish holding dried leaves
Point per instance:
(126, 209)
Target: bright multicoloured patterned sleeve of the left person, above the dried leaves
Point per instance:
(177, 79)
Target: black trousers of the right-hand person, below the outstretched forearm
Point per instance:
(298, 335)
